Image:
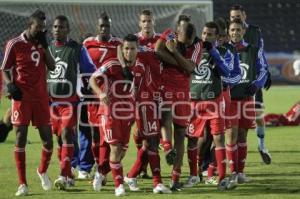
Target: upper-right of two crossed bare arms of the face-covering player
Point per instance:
(184, 63)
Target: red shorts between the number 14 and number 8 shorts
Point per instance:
(179, 102)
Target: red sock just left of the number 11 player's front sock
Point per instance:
(104, 167)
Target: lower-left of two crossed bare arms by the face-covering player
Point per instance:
(162, 52)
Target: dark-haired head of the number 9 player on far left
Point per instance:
(36, 22)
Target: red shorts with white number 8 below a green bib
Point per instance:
(207, 113)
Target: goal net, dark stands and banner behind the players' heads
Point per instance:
(276, 18)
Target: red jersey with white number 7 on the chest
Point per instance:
(100, 51)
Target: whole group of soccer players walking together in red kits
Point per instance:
(164, 88)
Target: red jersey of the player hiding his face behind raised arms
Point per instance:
(173, 75)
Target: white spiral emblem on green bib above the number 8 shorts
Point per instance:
(203, 72)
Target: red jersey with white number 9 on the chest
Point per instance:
(27, 61)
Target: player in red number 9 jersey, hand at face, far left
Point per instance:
(25, 62)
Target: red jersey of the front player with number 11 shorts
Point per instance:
(113, 83)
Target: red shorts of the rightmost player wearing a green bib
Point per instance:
(242, 113)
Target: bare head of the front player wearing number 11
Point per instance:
(130, 47)
